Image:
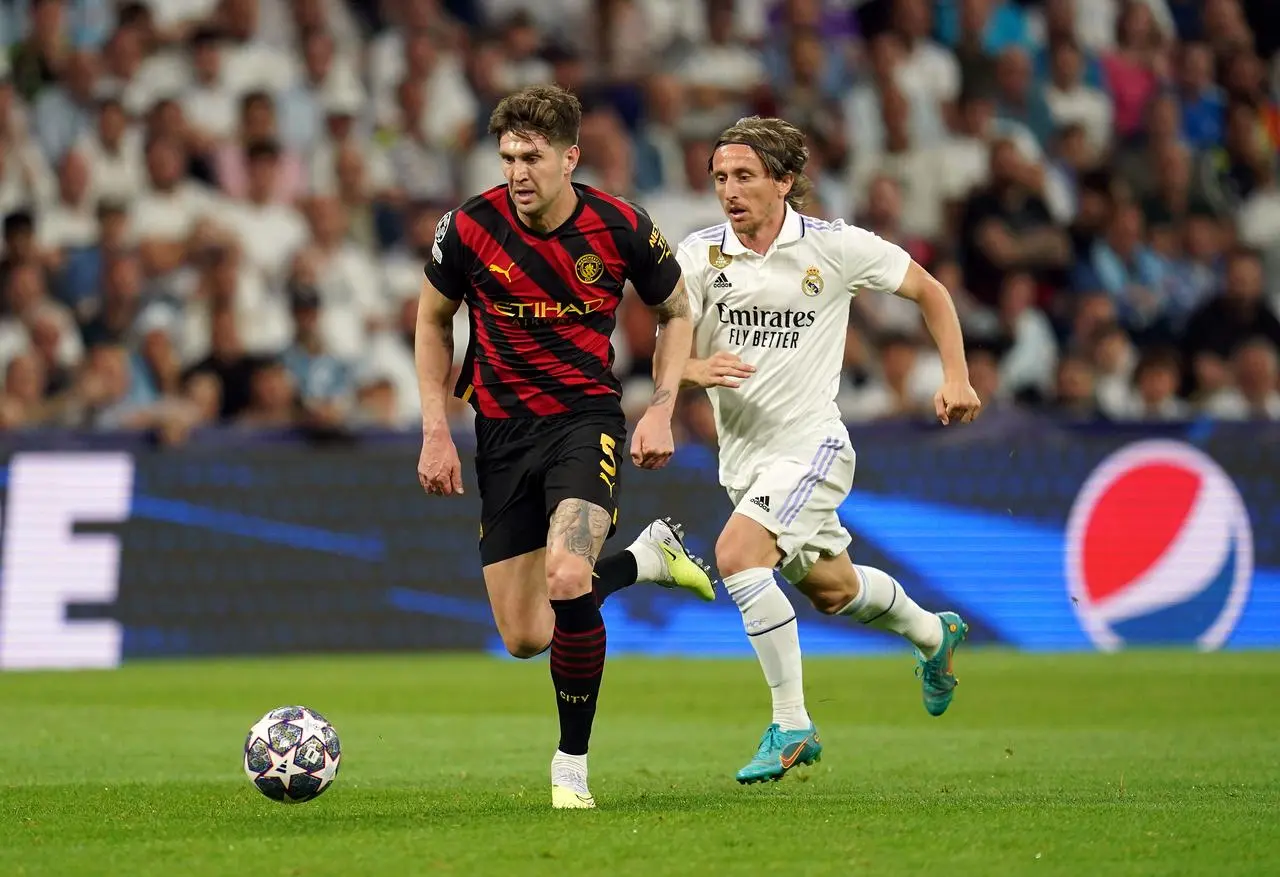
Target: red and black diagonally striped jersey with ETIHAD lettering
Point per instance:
(543, 305)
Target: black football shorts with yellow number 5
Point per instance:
(527, 467)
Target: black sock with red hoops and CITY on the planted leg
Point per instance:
(578, 666)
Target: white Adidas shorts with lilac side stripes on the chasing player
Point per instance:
(798, 499)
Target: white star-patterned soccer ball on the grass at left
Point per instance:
(292, 755)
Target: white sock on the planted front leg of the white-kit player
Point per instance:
(771, 627)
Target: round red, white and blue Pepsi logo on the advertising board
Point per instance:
(1159, 550)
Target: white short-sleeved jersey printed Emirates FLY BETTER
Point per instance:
(787, 313)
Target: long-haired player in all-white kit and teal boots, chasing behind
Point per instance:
(770, 294)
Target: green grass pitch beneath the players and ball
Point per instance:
(1141, 764)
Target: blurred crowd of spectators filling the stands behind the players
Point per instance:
(217, 212)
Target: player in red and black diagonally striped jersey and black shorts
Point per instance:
(542, 264)
